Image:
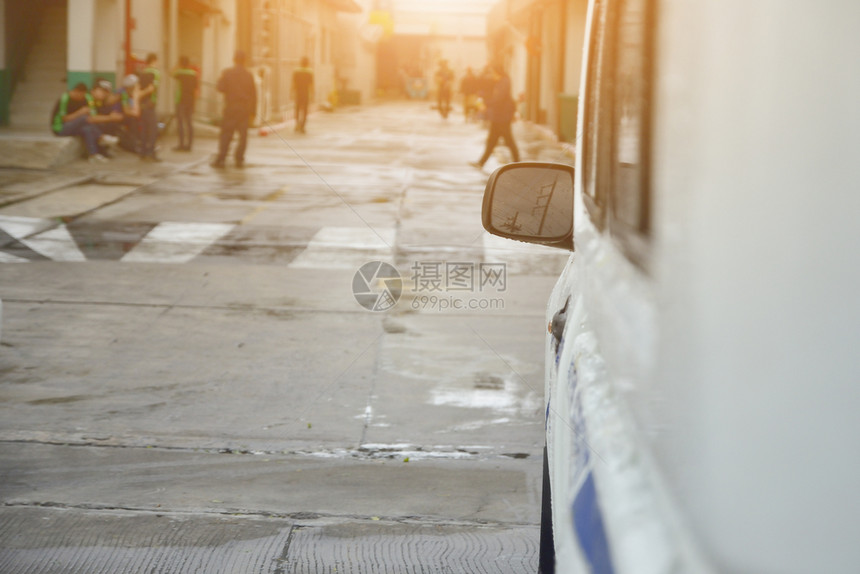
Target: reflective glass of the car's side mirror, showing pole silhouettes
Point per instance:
(533, 201)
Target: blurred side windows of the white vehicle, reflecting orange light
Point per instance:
(617, 107)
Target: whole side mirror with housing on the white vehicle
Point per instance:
(531, 202)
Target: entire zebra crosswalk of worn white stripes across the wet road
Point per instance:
(330, 248)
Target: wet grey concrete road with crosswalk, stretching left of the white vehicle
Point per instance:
(188, 381)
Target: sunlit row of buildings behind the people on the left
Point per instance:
(50, 45)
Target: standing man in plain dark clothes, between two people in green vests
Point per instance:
(240, 97)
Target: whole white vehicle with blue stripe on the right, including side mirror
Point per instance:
(703, 353)
